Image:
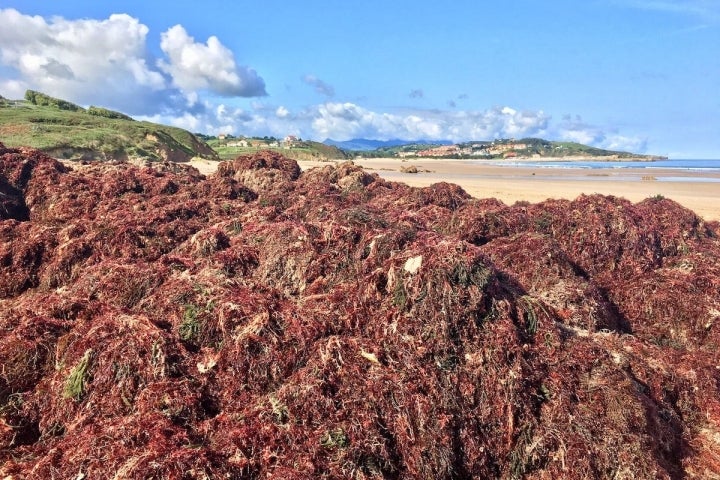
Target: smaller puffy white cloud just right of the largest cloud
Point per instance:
(195, 66)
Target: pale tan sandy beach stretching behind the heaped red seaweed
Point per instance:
(483, 179)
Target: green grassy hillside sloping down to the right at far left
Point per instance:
(65, 130)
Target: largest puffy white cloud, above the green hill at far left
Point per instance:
(81, 60)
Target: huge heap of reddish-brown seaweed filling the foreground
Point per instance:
(264, 322)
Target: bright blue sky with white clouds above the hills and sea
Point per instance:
(639, 75)
